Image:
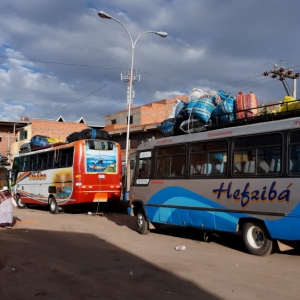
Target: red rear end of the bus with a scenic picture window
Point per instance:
(97, 177)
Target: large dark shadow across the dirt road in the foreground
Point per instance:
(68, 265)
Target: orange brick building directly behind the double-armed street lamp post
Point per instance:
(143, 122)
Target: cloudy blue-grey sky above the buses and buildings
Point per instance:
(58, 58)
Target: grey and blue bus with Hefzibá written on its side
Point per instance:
(240, 179)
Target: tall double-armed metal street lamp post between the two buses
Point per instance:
(104, 15)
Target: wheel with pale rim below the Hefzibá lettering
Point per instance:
(256, 239)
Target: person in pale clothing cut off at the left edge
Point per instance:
(6, 209)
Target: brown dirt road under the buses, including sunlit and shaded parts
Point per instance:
(78, 256)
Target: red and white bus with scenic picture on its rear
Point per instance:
(84, 171)
